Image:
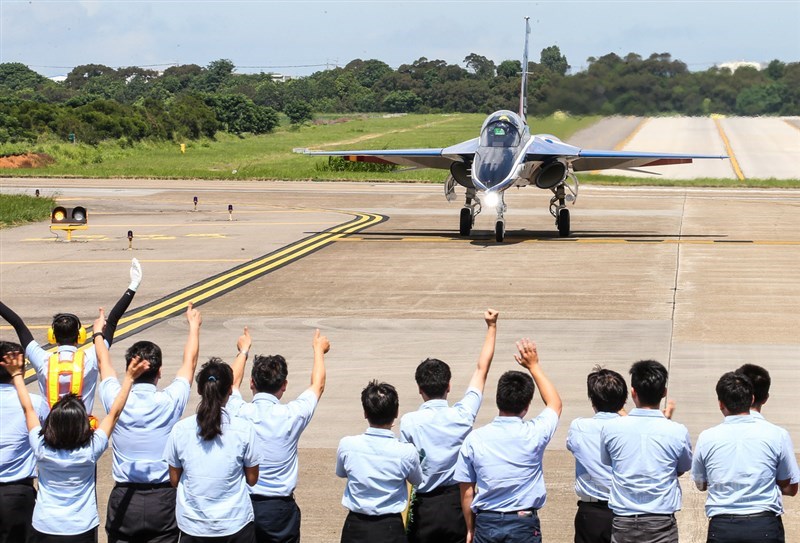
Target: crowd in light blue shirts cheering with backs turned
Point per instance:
(228, 473)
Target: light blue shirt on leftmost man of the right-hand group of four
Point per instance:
(592, 476)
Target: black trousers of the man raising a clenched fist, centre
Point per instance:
(436, 517)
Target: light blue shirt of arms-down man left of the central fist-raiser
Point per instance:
(377, 467)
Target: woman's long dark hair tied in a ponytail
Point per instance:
(214, 385)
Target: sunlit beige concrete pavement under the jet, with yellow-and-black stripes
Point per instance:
(702, 280)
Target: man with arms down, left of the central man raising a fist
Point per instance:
(377, 467)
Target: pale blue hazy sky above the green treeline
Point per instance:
(300, 37)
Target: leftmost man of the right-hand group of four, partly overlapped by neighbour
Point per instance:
(608, 393)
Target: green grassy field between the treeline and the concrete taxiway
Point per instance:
(271, 156)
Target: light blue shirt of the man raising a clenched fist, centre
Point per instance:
(437, 431)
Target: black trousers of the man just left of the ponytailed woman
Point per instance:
(142, 514)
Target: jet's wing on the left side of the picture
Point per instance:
(441, 158)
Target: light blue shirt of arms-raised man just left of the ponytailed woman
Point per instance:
(141, 434)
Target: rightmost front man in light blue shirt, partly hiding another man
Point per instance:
(745, 468)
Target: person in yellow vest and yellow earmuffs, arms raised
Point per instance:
(70, 369)
